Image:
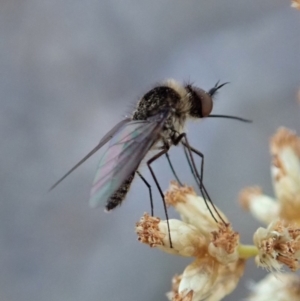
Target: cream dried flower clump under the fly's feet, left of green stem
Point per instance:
(217, 267)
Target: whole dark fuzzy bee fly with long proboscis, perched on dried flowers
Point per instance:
(157, 123)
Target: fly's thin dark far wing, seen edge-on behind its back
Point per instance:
(103, 141)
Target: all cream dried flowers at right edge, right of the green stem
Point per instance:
(278, 244)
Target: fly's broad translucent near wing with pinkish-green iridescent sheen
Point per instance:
(126, 150)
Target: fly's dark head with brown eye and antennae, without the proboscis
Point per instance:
(201, 102)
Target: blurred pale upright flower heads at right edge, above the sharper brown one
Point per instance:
(285, 170)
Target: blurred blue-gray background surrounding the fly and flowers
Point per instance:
(69, 71)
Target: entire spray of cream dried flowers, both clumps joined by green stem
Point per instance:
(219, 257)
